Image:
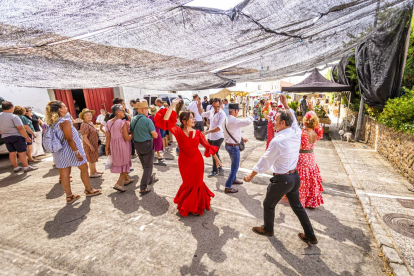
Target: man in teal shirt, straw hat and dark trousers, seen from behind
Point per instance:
(143, 132)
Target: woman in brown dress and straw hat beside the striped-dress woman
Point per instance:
(90, 141)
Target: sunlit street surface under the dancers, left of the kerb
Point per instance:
(129, 234)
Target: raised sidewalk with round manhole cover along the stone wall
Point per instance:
(386, 200)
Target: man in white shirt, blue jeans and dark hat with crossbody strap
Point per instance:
(232, 137)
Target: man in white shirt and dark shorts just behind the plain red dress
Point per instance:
(215, 133)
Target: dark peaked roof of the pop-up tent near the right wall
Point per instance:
(315, 82)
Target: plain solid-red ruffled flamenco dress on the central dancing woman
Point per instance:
(193, 196)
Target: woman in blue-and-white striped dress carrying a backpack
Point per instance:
(72, 153)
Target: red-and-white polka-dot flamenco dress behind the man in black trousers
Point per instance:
(310, 190)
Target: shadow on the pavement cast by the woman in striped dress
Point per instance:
(68, 219)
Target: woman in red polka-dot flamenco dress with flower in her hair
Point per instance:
(310, 191)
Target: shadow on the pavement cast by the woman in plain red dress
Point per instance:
(209, 241)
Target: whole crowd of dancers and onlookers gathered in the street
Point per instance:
(145, 130)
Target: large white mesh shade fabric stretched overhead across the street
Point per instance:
(163, 45)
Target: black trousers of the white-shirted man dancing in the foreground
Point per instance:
(288, 185)
